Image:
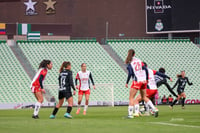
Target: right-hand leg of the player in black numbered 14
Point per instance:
(69, 107)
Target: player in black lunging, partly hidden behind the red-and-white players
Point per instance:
(163, 81)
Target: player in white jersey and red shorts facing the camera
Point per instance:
(84, 87)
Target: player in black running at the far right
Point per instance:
(181, 82)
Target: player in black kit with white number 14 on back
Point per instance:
(65, 83)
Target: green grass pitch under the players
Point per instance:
(102, 120)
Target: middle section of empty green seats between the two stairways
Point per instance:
(102, 66)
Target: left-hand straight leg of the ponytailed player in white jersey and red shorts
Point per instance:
(132, 94)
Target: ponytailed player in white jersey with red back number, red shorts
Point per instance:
(139, 73)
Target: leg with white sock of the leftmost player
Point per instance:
(39, 97)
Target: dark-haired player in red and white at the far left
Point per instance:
(37, 85)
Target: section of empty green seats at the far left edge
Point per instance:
(14, 82)
